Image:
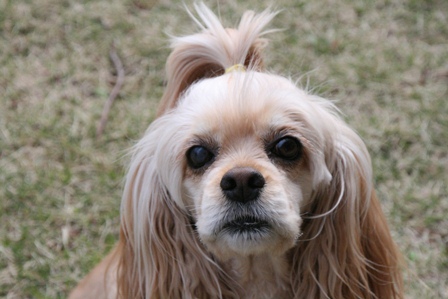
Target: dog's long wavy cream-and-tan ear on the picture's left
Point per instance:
(159, 254)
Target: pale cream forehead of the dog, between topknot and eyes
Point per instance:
(238, 104)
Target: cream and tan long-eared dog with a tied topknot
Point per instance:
(246, 186)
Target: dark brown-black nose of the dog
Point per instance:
(242, 184)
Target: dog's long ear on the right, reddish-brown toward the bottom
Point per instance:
(346, 250)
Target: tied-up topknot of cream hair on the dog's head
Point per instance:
(209, 53)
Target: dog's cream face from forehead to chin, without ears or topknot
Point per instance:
(252, 153)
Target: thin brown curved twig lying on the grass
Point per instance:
(115, 91)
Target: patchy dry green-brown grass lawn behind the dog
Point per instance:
(385, 62)
